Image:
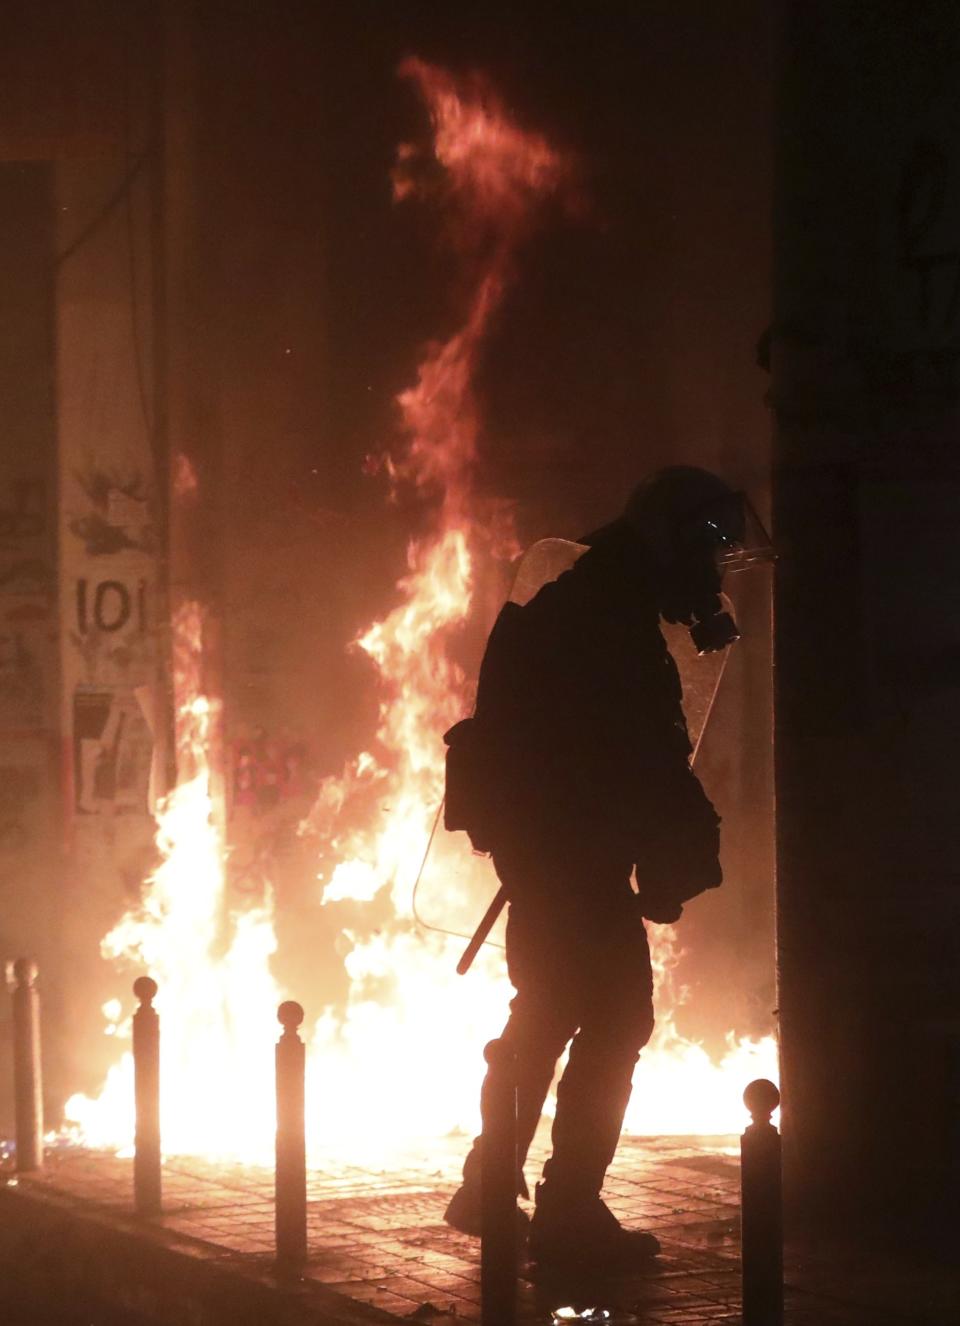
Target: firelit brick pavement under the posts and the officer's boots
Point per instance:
(377, 1238)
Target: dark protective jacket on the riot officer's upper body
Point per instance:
(579, 734)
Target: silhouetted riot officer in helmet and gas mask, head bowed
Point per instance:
(575, 772)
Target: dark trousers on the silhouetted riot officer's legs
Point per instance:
(577, 955)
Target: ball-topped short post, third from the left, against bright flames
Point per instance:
(291, 1175)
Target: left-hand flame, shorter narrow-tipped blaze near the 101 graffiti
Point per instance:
(218, 999)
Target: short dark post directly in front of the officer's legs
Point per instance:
(499, 1189)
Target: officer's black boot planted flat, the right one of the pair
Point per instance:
(584, 1231)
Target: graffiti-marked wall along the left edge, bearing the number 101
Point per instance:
(79, 502)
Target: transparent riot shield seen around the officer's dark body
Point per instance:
(455, 884)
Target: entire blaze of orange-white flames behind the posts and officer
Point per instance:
(400, 1064)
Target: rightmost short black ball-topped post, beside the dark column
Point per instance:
(762, 1215)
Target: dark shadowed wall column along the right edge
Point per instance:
(867, 352)
